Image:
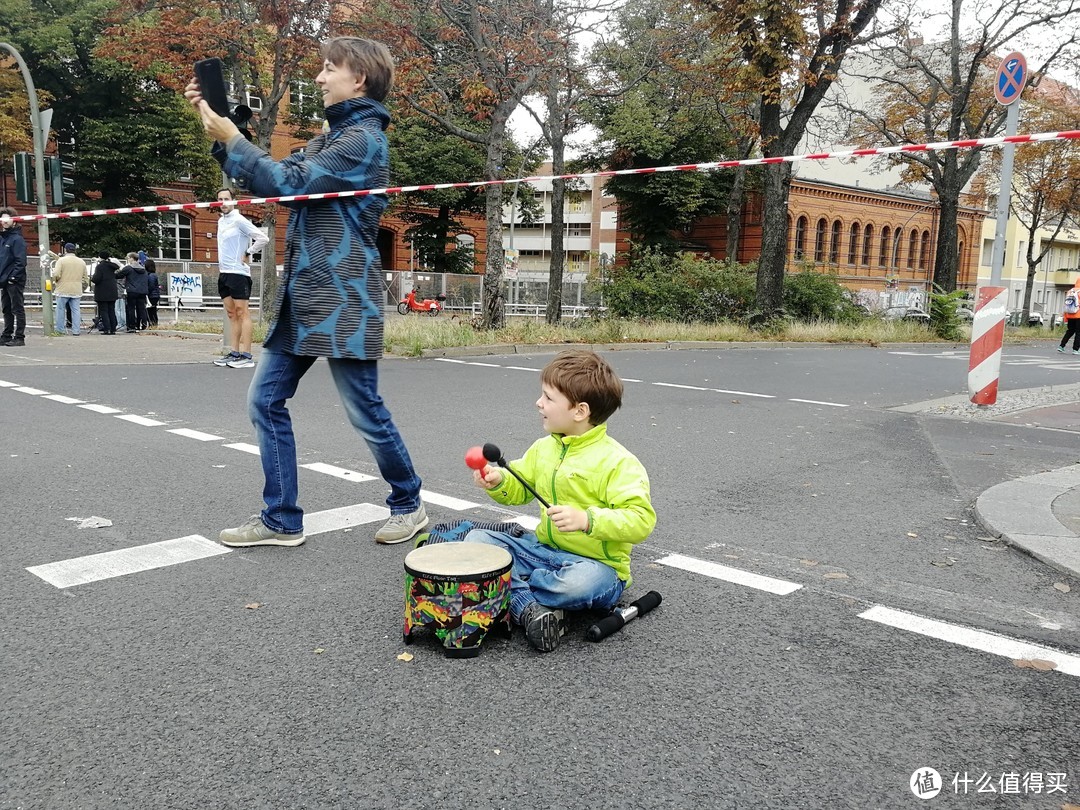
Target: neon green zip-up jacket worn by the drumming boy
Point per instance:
(592, 472)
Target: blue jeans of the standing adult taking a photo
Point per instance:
(276, 381)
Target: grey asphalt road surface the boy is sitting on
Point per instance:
(161, 690)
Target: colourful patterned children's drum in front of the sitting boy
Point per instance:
(462, 590)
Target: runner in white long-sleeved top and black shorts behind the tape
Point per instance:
(237, 239)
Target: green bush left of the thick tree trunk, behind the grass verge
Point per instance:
(682, 289)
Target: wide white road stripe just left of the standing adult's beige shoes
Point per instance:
(93, 568)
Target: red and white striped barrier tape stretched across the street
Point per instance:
(971, 144)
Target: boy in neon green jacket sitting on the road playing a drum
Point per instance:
(579, 556)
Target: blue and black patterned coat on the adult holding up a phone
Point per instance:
(330, 302)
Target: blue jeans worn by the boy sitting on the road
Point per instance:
(556, 578)
